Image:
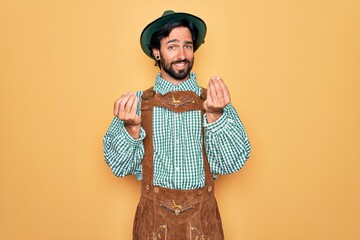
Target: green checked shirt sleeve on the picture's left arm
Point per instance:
(123, 153)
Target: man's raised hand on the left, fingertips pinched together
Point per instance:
(125, 110)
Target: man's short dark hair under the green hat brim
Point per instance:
(165, 30)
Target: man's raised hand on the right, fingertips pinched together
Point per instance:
(218, 97)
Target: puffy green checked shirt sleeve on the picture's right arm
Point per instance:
(226, 142)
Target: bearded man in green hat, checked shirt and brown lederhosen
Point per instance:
(176, 137)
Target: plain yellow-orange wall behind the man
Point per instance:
(293, 69)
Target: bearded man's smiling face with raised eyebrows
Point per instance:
(176, 55)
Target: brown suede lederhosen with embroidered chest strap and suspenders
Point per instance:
(171, 214)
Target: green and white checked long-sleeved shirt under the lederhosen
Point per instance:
(177, 137)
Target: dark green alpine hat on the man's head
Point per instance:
(169, 16)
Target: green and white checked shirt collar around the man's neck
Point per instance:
(163, 87)
